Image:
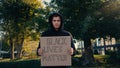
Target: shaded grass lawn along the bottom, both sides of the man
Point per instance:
(35, 63)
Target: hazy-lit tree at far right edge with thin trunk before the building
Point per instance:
(108, 18)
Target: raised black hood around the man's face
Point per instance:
(56, 15)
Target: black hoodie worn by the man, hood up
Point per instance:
(53, 32)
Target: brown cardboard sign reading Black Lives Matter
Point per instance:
(55, 51)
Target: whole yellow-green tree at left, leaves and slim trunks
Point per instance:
(17, 16)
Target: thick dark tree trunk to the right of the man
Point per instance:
(87, 56)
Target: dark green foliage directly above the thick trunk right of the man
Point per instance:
(77, 15)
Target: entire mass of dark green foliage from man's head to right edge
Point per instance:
(91, 18)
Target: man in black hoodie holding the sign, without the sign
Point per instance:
(56, 23)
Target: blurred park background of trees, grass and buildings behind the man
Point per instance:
(94, 24)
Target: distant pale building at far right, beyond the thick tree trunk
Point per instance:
(102, 45)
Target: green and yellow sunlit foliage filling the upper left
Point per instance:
(19, 17)
